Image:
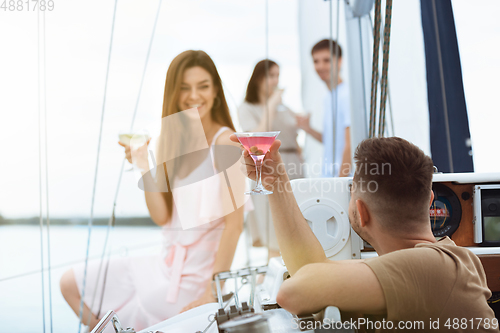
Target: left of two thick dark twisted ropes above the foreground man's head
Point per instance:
(376, 50)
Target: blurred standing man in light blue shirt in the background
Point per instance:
(339, 94)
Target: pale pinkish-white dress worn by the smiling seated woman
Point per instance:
(146, 290)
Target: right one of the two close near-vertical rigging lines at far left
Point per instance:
(47, 174)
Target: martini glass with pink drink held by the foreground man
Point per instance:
(257, 144)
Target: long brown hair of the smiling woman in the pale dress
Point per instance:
(219, 113)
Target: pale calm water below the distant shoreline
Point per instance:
(21, 305)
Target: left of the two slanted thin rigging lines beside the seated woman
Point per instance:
(80, 317)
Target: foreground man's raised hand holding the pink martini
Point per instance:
(272, 166)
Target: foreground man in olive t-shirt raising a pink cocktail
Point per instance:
(415, 279)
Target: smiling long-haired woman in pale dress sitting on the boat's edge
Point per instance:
(201, 226)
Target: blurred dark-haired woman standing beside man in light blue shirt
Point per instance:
(263, 111)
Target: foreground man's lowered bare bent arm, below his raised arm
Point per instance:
(349, 285)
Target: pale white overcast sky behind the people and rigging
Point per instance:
(233, 33)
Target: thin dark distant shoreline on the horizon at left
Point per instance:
(119, 221)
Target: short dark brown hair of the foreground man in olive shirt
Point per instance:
(396, 177)
